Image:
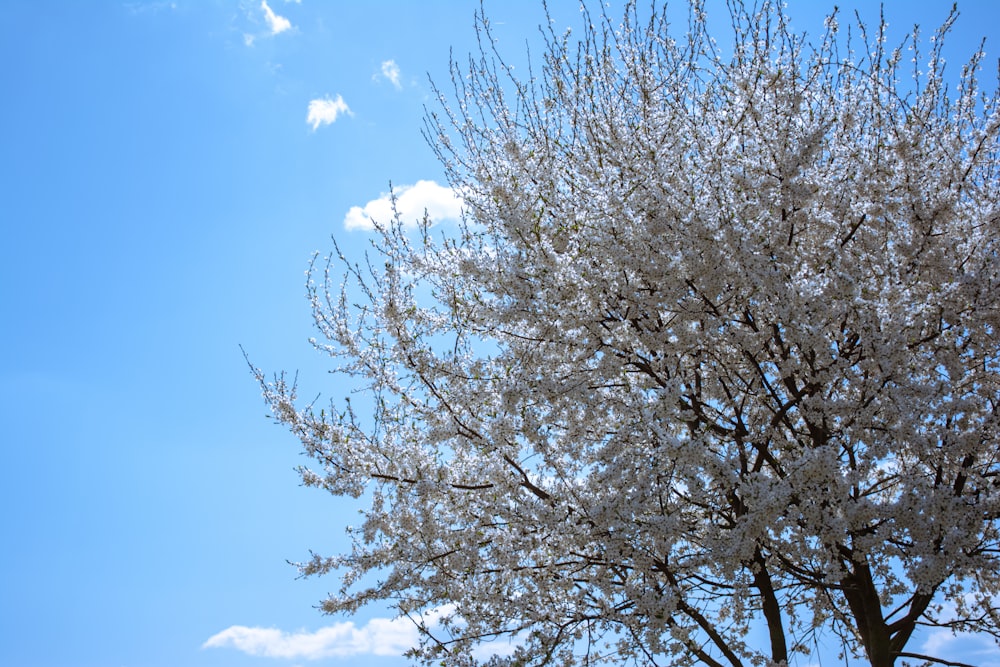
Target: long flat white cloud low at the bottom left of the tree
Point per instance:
(380, 636)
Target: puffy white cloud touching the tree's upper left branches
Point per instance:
(411, 202)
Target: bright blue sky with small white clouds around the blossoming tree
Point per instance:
(167, 170)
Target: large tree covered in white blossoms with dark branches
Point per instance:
(715, 348)
